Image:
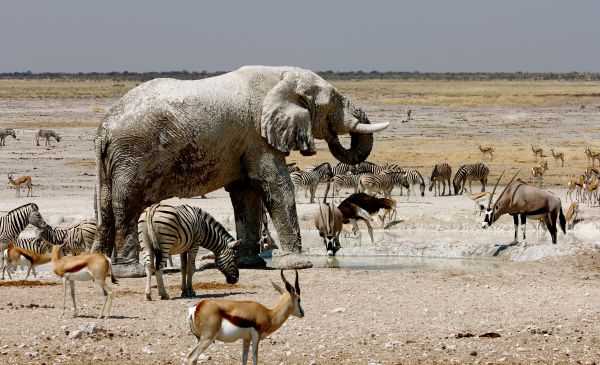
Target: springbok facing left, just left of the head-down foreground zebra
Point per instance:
(92, 266)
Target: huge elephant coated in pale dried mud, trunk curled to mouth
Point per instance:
(182, 138)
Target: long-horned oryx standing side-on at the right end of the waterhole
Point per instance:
(521, 201)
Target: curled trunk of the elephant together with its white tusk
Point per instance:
(361, 133)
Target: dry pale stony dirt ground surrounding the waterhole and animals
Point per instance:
(532, 303)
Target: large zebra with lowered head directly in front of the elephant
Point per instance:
(164, 230)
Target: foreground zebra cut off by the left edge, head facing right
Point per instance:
(14, 222)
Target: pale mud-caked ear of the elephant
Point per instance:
(286, 120)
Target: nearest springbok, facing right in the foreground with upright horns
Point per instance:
(228, 321)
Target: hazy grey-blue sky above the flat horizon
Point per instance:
(418, 35)
